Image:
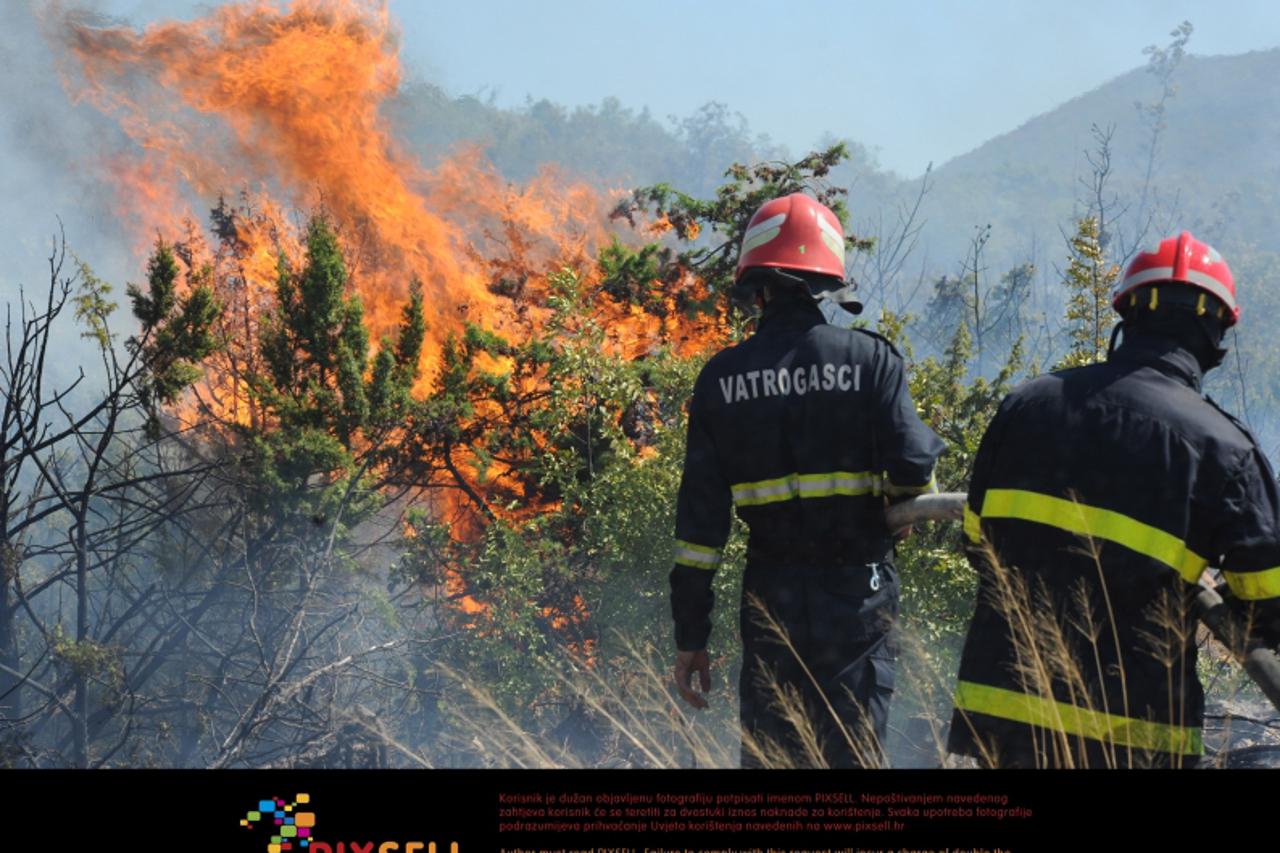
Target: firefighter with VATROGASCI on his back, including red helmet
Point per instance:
(806, 428)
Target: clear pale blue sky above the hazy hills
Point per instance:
(915, 81)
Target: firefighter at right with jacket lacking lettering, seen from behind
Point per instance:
(1100, 495)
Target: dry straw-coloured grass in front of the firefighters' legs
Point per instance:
(637, 719)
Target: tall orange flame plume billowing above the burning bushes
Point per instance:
(289, 103)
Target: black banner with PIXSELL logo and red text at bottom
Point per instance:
(504, 811)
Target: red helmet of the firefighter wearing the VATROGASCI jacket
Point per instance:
(794, 232)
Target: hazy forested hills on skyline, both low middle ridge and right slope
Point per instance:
(1217, 171)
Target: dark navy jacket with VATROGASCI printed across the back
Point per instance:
(804, 430)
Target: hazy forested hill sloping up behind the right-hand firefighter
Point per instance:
(1217, 172)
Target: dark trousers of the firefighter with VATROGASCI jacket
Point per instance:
(836, 663)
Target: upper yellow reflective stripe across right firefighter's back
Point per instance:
(1098, 523)
